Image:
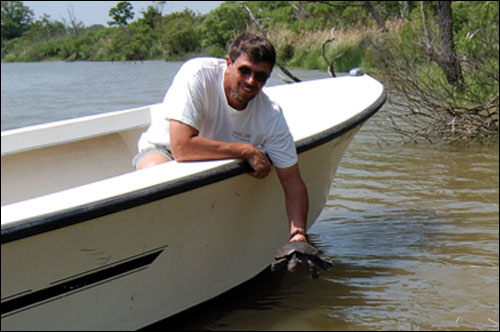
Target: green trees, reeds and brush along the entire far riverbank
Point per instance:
(392, 40)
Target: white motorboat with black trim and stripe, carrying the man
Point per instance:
(90, 244)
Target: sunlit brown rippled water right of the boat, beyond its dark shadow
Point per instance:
(432, 216)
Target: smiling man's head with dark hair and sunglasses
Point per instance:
(249, 64)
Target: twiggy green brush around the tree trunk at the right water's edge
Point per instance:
(429, 107)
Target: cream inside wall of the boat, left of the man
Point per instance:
(49, 168)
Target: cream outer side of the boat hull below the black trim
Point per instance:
(134, 267)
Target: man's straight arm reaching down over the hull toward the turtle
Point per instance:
(297, 201)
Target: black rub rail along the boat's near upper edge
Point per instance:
(52, 221)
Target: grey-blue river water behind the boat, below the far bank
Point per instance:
(35, 93)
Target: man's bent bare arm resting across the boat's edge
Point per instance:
(187, 145)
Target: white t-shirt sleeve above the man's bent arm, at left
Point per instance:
(184, 99)
